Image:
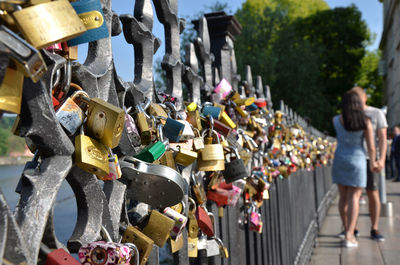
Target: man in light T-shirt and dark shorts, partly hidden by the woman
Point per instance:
(379, 125)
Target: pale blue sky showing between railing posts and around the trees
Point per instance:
(123, 53)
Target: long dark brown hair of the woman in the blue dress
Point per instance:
(354, 118)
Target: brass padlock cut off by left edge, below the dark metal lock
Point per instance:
(11, 91)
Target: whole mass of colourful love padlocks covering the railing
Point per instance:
(234, 146)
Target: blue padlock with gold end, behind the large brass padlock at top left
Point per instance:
(91, 14)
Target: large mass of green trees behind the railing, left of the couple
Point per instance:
(309, 56)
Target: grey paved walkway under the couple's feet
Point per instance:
(328, 249)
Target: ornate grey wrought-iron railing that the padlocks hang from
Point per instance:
(291, 216)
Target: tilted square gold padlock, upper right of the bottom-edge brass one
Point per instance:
(159, 228)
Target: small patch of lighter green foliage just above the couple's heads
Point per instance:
(369, 78)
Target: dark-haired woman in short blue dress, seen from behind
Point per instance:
(349, 164)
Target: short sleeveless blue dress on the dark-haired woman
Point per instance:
(349, 165)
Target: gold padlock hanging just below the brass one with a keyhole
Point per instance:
(91, 155)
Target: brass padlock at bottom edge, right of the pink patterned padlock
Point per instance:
(143, 243)
